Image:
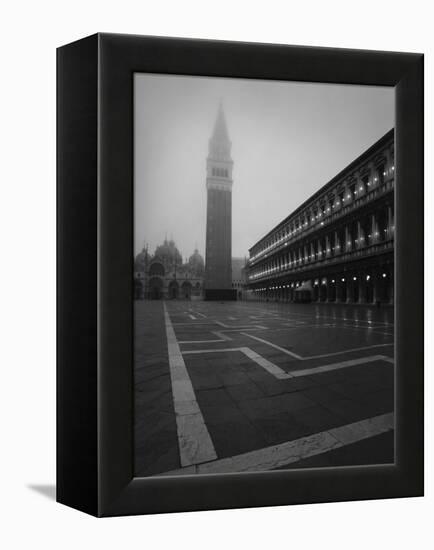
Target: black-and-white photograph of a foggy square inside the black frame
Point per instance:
(264, 223)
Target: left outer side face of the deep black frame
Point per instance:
(76, 449)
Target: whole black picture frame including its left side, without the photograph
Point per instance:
(94, 274)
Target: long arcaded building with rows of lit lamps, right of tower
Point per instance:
(338, 246)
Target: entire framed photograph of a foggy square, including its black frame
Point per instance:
(240, 275)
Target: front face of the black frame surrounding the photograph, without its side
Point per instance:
(120, 56)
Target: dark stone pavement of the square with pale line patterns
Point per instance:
(247, 386)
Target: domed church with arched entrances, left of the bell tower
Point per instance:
(165, 275)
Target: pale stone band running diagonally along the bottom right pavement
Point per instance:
(290, 452)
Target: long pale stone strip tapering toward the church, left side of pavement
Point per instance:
(195, 444)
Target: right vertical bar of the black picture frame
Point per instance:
(410, 276)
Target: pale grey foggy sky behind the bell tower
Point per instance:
(288, 139)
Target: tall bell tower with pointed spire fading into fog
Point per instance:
(218, 259)
